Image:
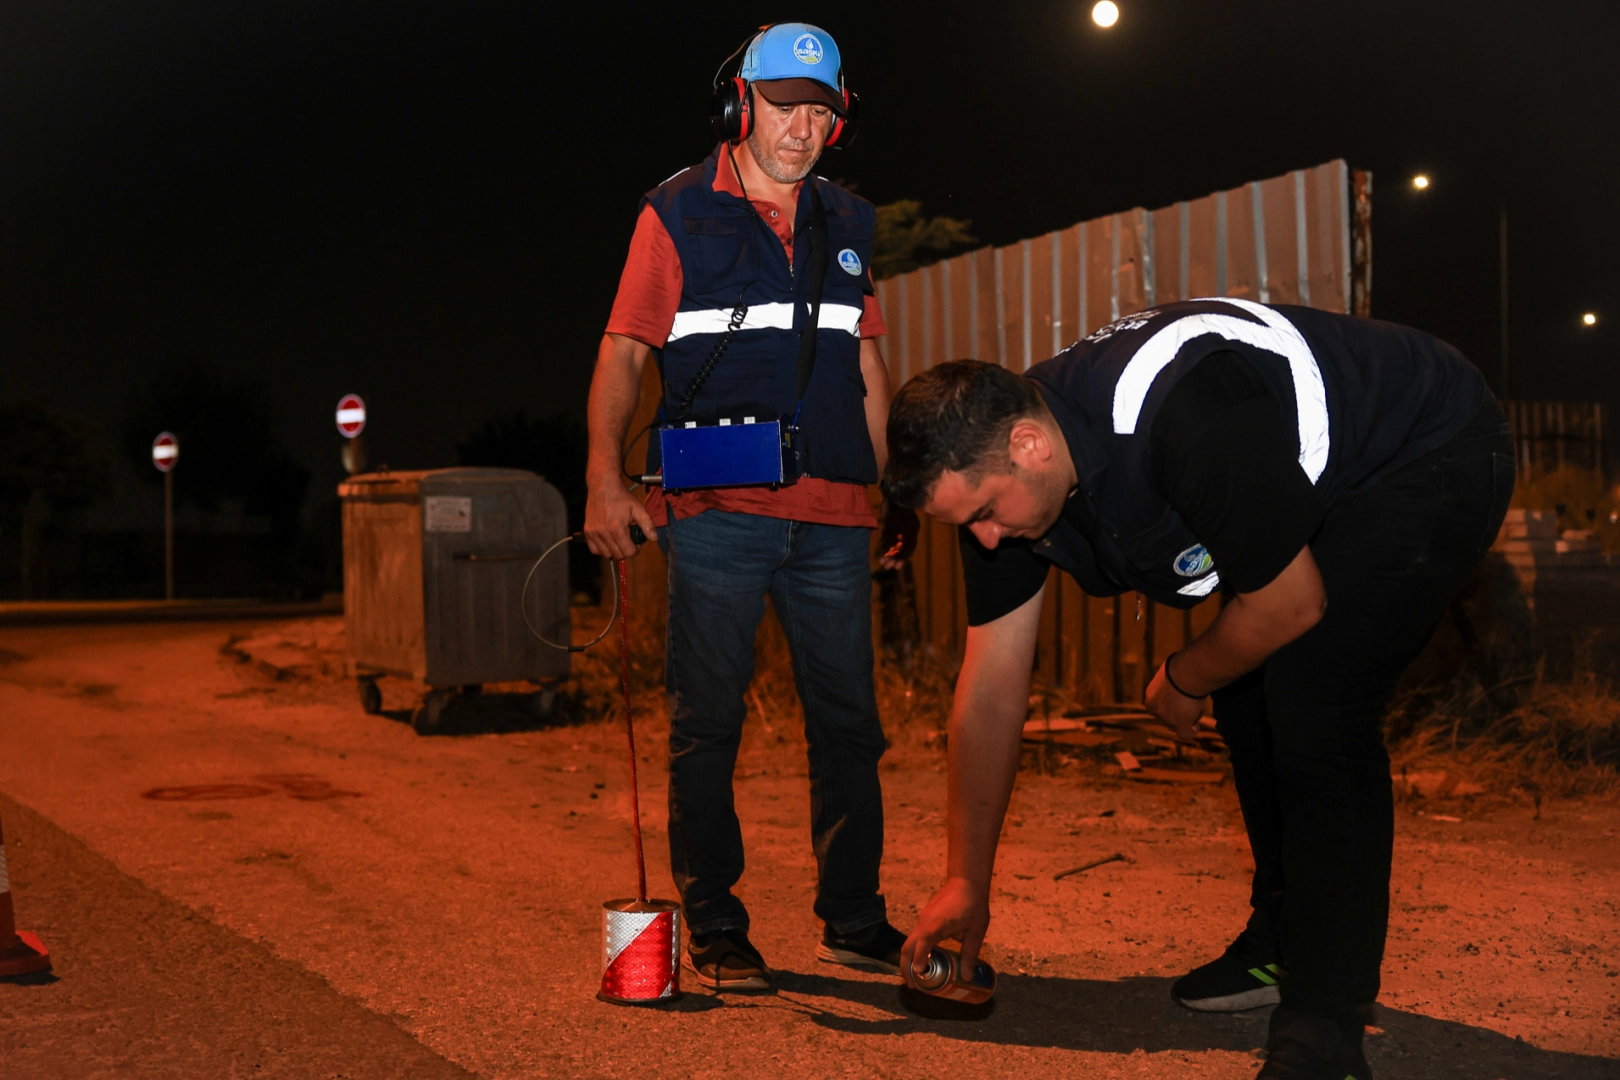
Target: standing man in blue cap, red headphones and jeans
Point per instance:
(751, 283)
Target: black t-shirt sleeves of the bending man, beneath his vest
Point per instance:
(1226, 456)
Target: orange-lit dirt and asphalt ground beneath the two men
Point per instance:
(322, 893)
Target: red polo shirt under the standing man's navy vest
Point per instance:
(646, 310)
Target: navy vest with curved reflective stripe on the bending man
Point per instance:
(1368, 399)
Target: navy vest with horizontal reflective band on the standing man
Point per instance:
(730, 257)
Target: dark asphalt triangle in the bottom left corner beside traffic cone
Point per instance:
(145, 987)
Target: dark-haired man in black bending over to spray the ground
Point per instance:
(1339, 478)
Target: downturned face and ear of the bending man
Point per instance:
(1021, 501)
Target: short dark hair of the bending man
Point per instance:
(953, 417)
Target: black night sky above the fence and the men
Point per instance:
(430, 203)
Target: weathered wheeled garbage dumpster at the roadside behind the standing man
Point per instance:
(435, 568)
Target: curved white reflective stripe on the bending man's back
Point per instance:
(1279, 336)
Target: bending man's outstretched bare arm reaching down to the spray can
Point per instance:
(986, 736)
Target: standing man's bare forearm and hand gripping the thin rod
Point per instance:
(610, 509)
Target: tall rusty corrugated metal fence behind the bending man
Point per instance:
(1300, 239)
